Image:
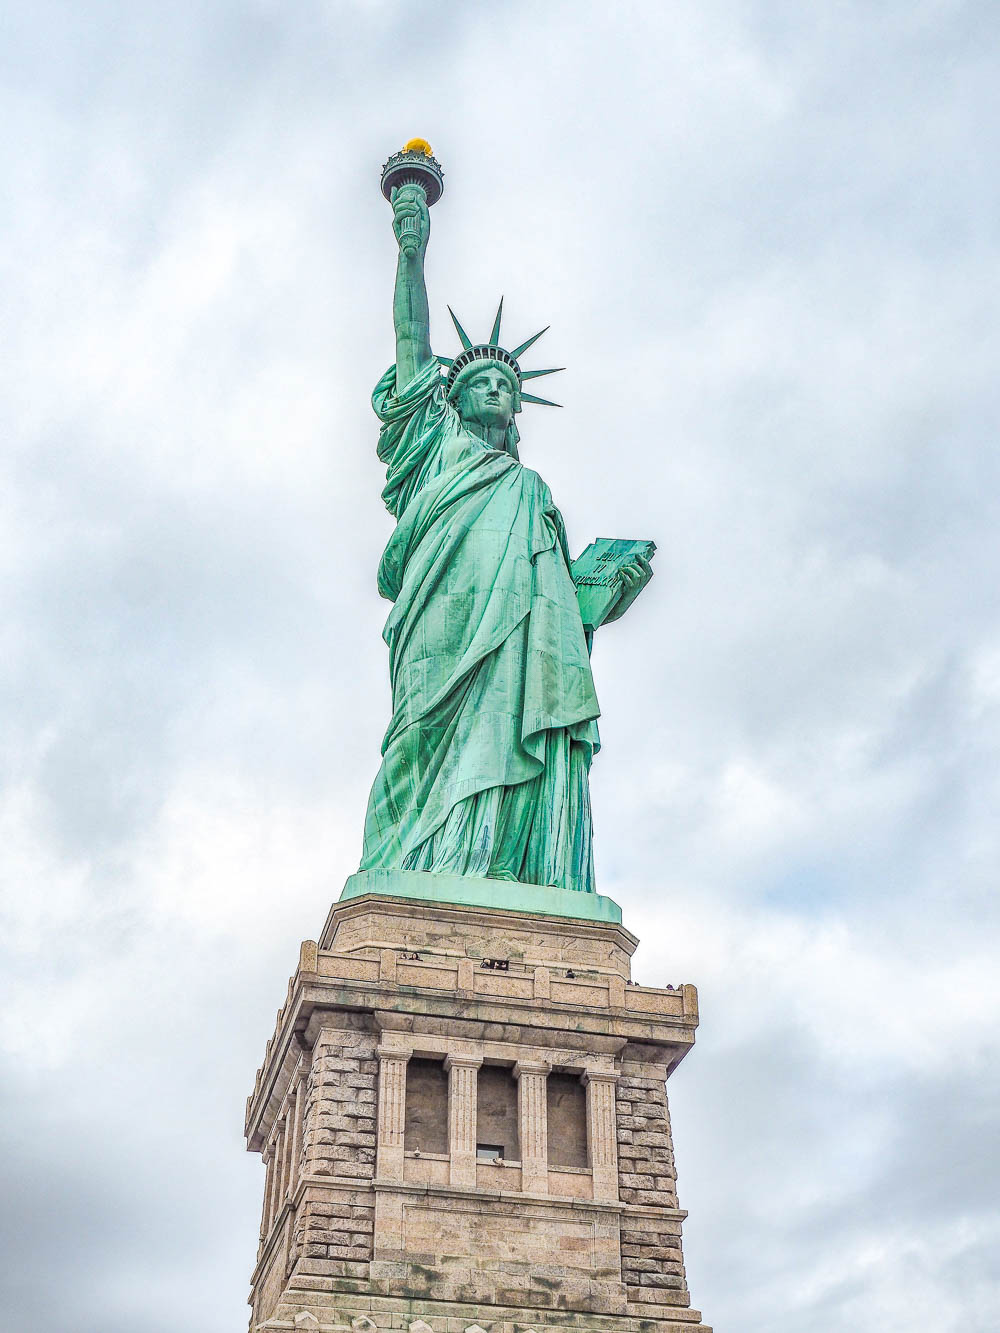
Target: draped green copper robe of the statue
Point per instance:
(486, 763)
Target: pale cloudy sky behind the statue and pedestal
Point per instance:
(766, 238)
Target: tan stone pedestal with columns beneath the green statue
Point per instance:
(463, 1115)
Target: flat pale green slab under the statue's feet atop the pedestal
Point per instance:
(482, 894)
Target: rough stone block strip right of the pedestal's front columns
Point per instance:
(653, 1267)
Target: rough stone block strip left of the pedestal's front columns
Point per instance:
(334, 1228)
